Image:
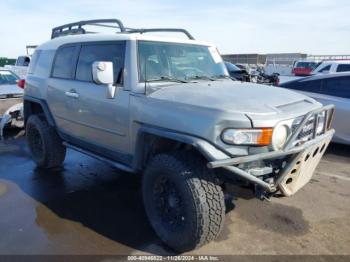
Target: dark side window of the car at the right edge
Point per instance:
(339, 86)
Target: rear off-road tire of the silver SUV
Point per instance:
(44, 143)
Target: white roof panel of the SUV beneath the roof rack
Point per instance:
(56, 42)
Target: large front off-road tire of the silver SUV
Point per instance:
(201, 200)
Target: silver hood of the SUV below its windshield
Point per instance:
(237, 97)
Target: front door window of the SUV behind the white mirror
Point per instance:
(100, 52)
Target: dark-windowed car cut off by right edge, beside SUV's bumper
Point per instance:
(329, 89)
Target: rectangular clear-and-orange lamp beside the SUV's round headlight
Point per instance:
(261, 137)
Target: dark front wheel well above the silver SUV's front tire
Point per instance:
(152, 145)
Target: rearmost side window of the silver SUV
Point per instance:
(64, 62)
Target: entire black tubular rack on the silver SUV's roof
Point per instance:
(76, 28)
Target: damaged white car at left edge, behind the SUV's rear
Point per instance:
(11, 100)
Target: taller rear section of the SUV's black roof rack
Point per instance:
(77, 27)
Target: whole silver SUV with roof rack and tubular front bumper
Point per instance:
(167, 109)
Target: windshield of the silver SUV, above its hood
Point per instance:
(160, 61)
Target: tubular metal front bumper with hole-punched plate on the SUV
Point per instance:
(302, 163)
